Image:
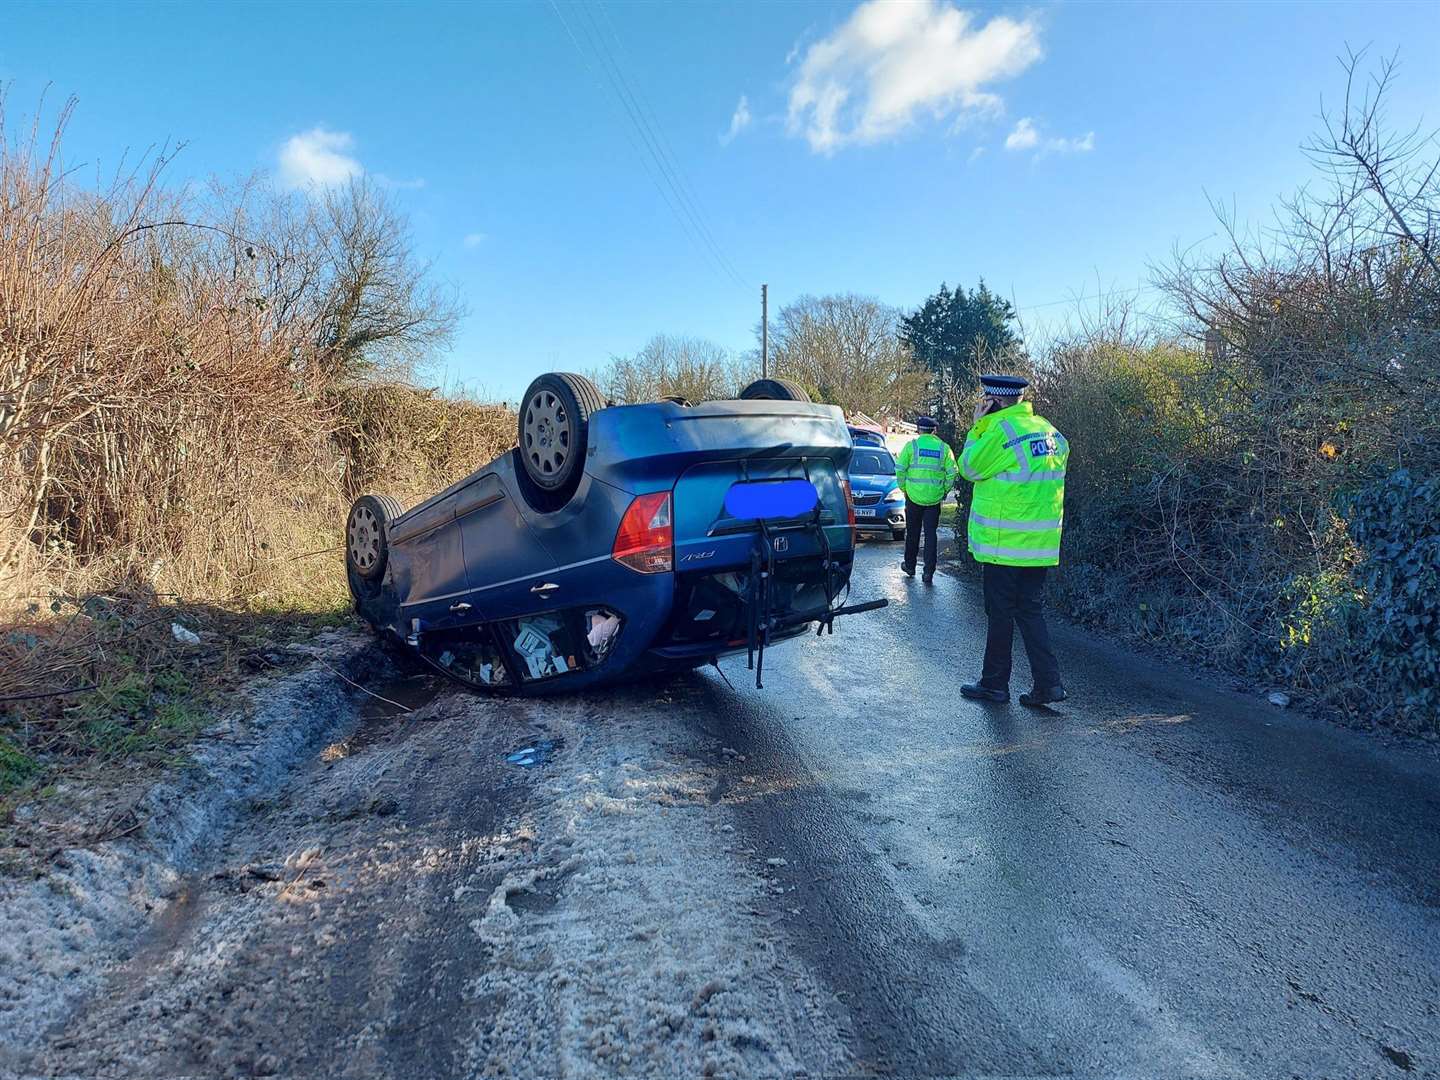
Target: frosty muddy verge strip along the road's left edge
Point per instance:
(84, 906)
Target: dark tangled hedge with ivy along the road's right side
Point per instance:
(1251, 482)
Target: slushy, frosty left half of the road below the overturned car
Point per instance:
(414, 905)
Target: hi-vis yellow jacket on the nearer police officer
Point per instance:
(1017, 463)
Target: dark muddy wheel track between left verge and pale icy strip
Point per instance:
(346, 964)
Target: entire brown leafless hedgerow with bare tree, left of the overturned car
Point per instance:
(172, 379)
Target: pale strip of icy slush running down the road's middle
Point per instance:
(647, 961)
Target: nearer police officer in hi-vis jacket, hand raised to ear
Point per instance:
(1017, 463)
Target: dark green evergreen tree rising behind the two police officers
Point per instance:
(957, 336)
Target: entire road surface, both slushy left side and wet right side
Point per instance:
(850, 872)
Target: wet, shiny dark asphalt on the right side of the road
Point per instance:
(1154, 878)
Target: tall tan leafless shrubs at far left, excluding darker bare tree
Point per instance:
(155, 418)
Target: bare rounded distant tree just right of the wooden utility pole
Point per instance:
(845, 351)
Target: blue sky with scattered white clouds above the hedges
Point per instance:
(882, 148)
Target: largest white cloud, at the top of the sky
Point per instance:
(891, 61)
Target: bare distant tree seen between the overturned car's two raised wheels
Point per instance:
(672, 366)
